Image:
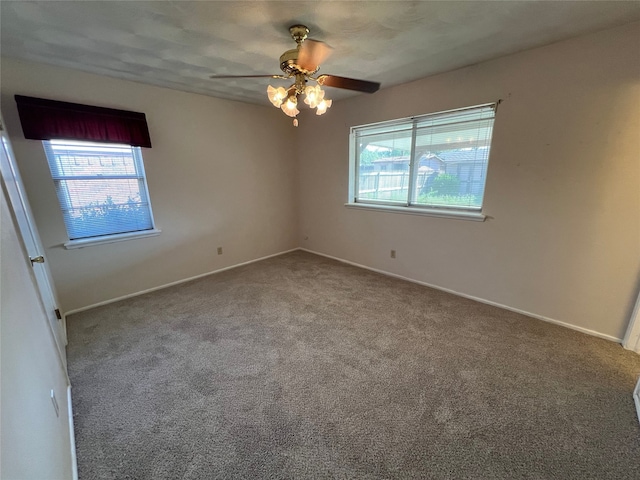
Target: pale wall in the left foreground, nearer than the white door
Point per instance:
(35, 442)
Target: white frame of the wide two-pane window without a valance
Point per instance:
(412, 125)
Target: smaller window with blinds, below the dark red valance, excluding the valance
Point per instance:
(102, 190)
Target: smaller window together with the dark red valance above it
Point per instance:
(97, 168)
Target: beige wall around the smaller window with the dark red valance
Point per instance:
(218, 175)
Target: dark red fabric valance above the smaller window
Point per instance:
(50, 119)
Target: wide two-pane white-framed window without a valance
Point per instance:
(432, 164)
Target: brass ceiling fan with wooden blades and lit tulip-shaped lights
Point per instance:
(301, 65)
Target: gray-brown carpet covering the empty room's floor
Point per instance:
(302, 367)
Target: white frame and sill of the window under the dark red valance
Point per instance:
(62, 191)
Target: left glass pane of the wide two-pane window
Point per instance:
(384, 167)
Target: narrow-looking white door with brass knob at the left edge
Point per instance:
(31, 239)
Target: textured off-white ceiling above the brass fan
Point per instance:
(178, 44)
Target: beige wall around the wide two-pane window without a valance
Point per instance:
(563, 188)
